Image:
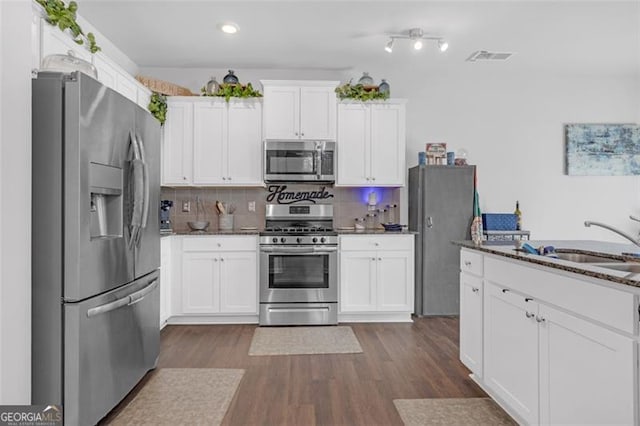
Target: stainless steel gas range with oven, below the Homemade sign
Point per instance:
(298, 266)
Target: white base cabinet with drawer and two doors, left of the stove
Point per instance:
(219, 276)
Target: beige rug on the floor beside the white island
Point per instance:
(451, 411)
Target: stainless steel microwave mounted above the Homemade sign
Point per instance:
(303, 161)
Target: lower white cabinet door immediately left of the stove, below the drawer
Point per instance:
(239, 282)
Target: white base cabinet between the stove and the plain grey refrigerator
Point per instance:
(376, 277)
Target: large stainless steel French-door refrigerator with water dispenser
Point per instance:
(95, 245)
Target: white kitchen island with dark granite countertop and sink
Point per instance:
(553, 341)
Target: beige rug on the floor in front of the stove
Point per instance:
(304, 340)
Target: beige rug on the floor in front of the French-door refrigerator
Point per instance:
(173, 396)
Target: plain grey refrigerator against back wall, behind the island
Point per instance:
(440, 211)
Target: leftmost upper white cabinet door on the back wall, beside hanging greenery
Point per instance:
(178, 144)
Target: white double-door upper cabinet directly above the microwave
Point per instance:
(295, 110)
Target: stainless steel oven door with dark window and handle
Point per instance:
(298, 274)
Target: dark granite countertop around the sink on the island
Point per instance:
(614, 251)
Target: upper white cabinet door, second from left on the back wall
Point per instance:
(209, 137)
